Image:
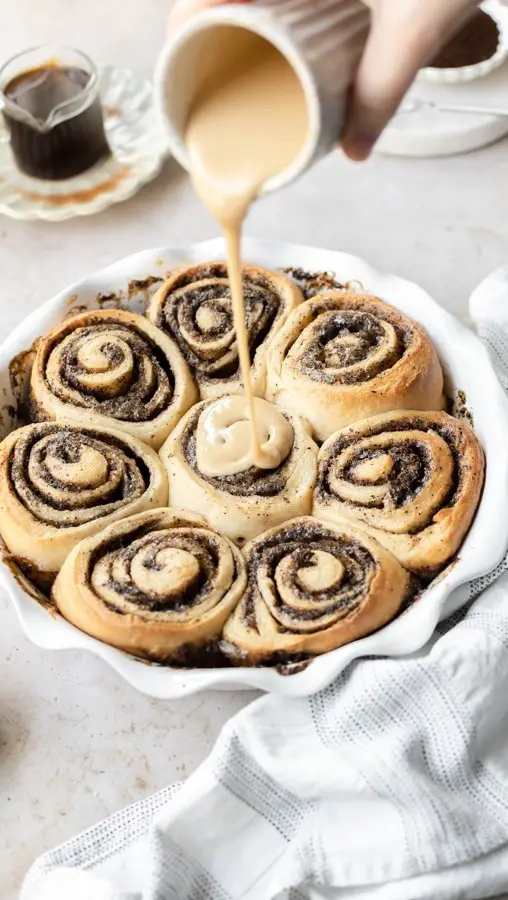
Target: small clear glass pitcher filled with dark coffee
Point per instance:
(53, 113)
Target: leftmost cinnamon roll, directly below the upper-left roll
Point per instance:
(61, 483)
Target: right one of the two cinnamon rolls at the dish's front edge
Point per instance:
(312, 587)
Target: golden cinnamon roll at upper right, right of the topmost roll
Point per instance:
(342, 357)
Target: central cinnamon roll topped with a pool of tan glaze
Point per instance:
(208, 458)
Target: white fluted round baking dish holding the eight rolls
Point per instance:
(467, 368)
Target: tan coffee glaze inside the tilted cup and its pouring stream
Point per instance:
(247, 124)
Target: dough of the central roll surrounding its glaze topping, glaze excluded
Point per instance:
(244, 503)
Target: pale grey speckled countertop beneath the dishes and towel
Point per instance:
(77, 743)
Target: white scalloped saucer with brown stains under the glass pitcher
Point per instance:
(138, 149)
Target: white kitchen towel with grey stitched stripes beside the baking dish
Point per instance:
(392, 784)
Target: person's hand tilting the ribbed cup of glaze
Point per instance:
(404, 36)
